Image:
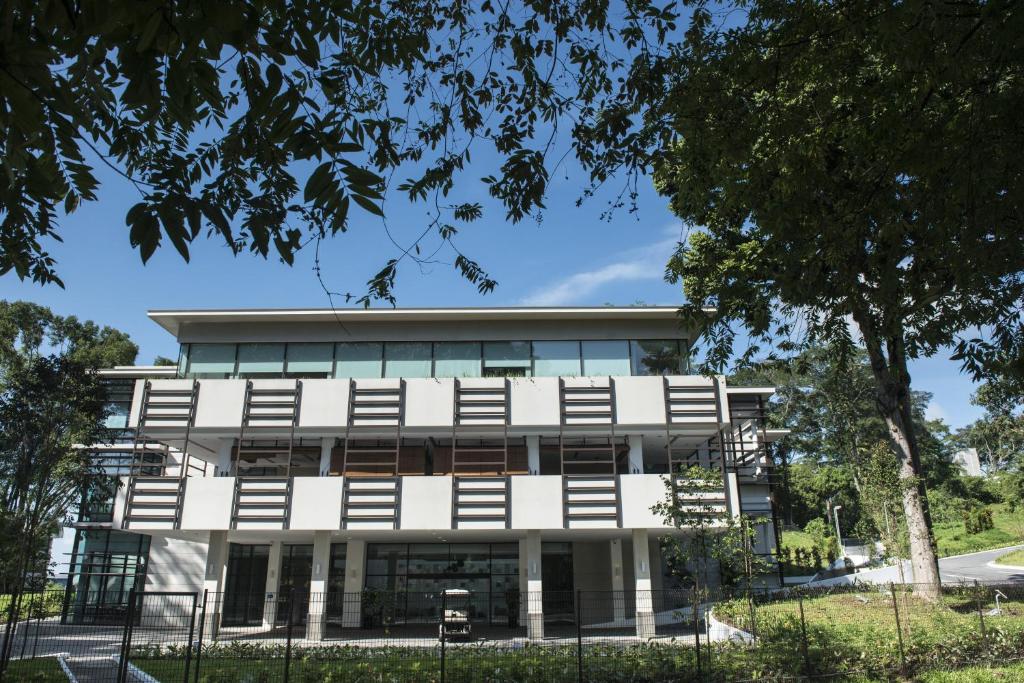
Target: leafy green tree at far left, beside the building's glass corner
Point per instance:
(52, 402)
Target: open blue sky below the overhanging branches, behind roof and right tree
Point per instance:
(571, 257)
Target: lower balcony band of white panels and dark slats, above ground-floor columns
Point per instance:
(402, 503)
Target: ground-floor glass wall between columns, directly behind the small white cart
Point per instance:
(406, 580)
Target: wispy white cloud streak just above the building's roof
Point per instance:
(642, 264)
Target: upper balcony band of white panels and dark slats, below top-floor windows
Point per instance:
(485, 407)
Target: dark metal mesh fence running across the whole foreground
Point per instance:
(875, 632)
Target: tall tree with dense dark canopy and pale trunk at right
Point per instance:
(854, 172)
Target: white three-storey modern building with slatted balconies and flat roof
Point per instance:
(517, 453)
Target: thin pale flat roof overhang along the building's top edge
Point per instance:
(173, 320)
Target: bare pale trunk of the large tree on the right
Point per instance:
(893, 383)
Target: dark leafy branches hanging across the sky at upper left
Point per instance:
(264, 122)
